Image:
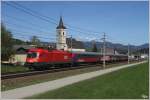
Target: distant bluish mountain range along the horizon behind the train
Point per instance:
(123, 49)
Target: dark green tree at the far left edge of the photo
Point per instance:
(6, 43)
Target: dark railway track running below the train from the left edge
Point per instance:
(30, 73)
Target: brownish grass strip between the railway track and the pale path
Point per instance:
(30, 80)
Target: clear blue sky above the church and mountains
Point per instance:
(123, 22)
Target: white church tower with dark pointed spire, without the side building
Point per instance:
(61, 36)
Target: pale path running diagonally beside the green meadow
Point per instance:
(51, 85)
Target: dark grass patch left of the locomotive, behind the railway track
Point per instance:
(12, 69)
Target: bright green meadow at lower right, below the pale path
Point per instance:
(126, 83)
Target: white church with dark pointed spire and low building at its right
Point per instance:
(61, 35)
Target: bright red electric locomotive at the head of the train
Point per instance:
(43, 58)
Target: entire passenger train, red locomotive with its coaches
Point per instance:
(39, 58)
